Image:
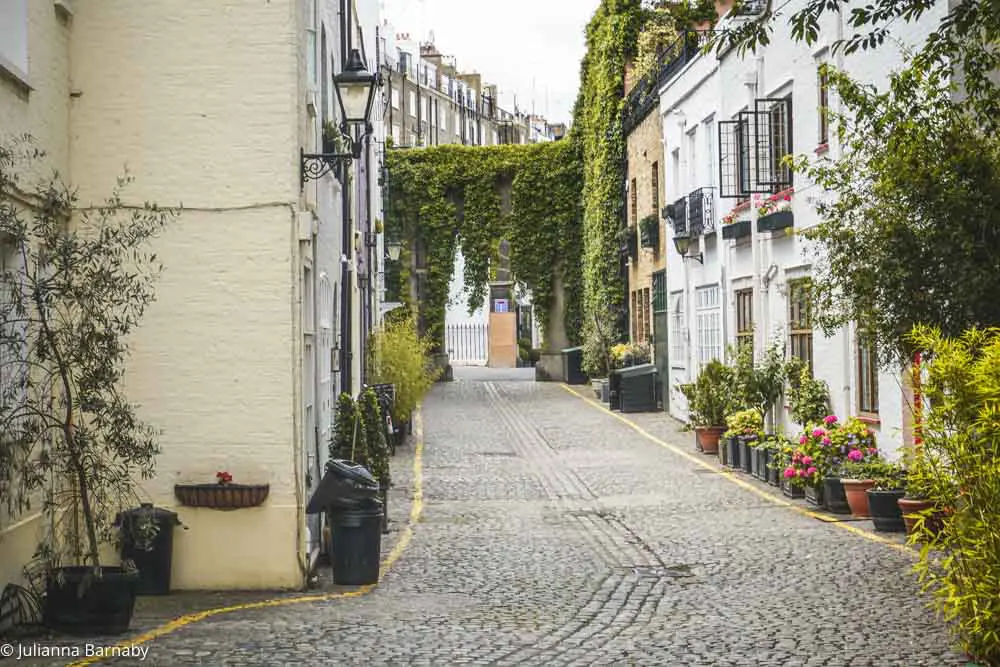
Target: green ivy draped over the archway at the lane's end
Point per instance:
(446, 197)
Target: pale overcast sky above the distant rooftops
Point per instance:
(528, 48)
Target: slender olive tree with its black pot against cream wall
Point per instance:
(77, 286)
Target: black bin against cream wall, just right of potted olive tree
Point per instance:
(153, 556)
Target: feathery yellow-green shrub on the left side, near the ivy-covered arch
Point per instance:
(401, 359)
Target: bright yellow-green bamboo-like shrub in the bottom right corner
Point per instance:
(959, 472)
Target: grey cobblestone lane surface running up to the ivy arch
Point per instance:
(555, 534)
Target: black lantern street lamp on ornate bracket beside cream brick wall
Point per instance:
(355, 89)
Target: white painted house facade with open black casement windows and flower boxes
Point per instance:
(726, 123)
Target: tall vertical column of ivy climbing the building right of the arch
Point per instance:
(612, 36)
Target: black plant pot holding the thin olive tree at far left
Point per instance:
(90, 601)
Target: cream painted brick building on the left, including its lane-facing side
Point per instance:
(209, 106)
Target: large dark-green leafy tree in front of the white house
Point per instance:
(913, 234)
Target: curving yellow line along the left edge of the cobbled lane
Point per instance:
(416, 508)
